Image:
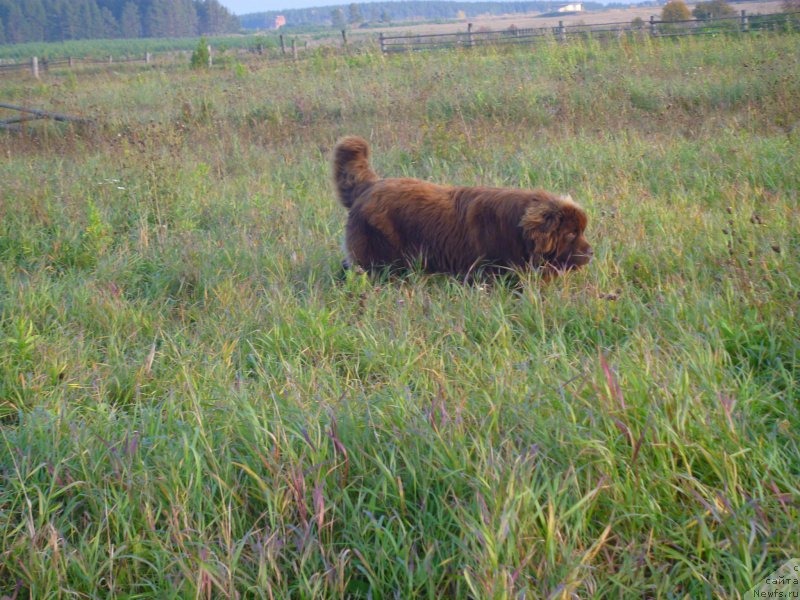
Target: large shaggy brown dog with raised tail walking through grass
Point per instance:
(400, 222)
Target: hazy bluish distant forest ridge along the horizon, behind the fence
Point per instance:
(355, 15)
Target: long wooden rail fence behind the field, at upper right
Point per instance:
(742, 23)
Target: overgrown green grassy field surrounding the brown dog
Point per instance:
(193, 403)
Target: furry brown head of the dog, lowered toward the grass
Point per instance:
(554, 228)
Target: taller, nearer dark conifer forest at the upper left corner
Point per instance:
(61, 20)
